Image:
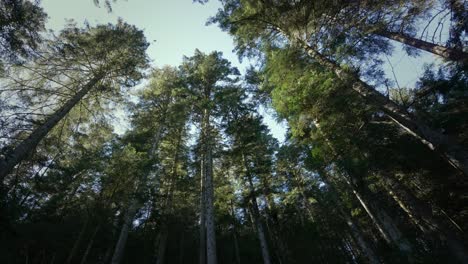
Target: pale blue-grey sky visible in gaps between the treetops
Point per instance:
(175, 28)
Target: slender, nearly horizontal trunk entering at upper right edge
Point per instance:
(444, 52)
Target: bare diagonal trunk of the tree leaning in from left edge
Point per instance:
(9, 160)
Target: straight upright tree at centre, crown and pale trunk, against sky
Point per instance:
(206, 75)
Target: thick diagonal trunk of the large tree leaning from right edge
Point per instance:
(453, 153)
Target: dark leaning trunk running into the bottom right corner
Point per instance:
(421, 215)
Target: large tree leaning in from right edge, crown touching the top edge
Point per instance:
(255, 24)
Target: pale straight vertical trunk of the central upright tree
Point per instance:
(209, 189)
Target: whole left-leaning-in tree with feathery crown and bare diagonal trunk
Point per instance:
(93, 57)
